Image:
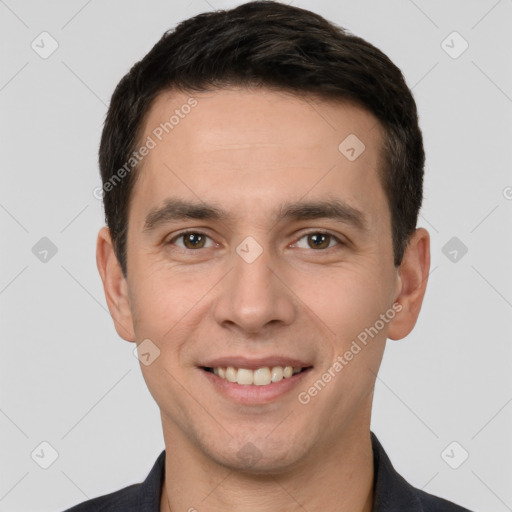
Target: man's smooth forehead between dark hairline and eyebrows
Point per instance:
(256, 147)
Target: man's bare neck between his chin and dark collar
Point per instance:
(338, 479)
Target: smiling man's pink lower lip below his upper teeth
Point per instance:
(251, 394)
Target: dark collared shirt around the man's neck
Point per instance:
(391, 492)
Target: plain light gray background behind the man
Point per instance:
(67, 378)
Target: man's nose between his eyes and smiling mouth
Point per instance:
(253, 296)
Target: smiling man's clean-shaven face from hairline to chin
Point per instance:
(257, 242)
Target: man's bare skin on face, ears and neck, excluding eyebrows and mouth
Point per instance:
(250, 151)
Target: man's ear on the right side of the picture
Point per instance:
(412, 283)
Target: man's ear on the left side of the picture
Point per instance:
(115, 285)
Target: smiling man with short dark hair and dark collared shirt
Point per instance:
(262, 174)
